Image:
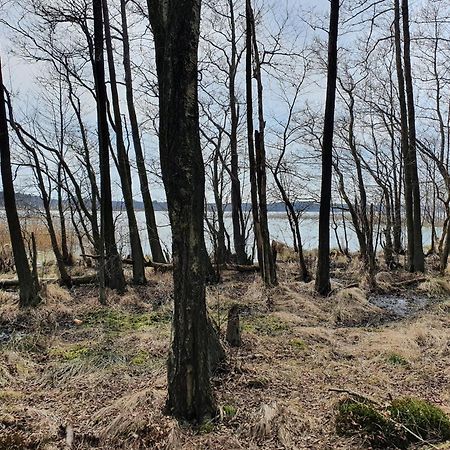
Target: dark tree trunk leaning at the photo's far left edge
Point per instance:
(29, 290)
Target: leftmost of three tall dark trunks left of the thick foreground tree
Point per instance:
(111, 272)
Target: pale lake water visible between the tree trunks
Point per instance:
(278, 227)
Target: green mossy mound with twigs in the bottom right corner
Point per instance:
(388, 427)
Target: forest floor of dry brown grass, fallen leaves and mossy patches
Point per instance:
(77, 375)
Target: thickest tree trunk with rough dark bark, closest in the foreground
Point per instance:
(176, 29)
